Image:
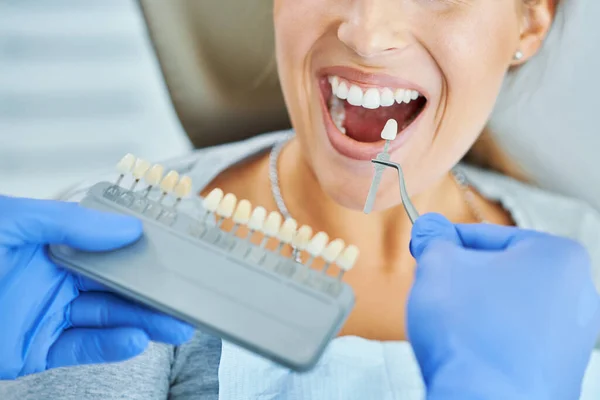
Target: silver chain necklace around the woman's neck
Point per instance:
(457, 175)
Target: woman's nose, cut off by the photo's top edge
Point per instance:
(373, 28)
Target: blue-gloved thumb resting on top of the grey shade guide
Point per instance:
(31, 221)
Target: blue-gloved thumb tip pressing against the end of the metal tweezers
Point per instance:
(430, 228)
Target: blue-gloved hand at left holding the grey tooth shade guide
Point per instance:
(52, 318)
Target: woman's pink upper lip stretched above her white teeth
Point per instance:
(371, 79)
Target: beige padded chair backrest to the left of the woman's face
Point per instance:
(217, 58)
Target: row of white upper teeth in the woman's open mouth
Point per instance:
(370, 98)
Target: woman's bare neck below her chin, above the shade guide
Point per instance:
(383, 236)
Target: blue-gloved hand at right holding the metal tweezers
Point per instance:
(499, 312)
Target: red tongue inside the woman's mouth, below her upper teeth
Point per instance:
(365, 125)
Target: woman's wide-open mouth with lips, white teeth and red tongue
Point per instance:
(357, 113)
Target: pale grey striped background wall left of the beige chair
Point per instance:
(79, 88)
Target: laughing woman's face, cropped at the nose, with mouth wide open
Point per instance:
(348, 66)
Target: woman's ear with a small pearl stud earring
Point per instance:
(537, 17)
